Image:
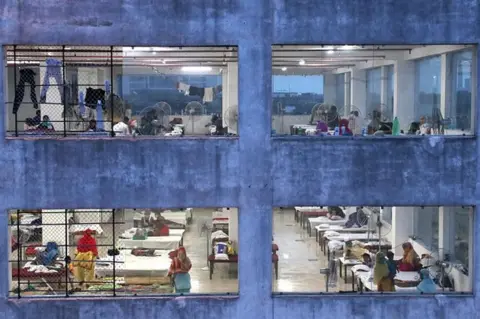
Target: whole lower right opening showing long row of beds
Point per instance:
(334, 249)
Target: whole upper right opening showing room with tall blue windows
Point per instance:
(387, 90)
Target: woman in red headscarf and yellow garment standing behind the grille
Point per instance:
(84, 263)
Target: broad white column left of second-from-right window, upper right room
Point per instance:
(404, 93)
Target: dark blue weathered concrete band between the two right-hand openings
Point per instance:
(373, 171)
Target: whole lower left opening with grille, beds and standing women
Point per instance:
(83, 252)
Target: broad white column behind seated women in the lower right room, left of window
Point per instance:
(402, 227)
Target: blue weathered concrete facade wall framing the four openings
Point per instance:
(253, 172)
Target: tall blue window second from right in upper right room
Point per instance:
(428, 89)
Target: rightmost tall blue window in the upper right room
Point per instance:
(459, 108)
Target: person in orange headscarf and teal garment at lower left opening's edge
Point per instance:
(179, 271)
